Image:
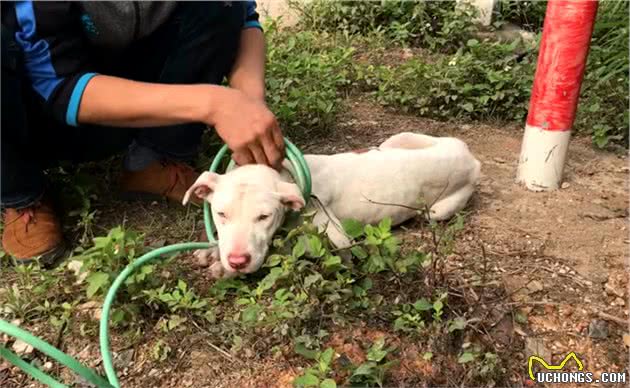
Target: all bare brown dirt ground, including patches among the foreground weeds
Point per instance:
(559, 257)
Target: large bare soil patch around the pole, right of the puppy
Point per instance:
(561, 256)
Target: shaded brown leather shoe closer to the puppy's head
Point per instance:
(161, 179)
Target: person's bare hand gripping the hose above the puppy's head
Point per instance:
(248, 128)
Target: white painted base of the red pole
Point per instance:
(543, 154)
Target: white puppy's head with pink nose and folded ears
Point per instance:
(248, 206)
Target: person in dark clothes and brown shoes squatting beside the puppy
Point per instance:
(85, 80)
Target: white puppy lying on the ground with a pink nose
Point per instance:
(249, 202)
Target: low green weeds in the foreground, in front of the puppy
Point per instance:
(305, 293)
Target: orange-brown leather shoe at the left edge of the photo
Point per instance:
(33, 233)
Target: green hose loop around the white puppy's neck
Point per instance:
(301, 174)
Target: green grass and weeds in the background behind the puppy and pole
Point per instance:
(461, 78)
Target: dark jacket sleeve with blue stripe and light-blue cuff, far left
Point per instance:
(54, 54)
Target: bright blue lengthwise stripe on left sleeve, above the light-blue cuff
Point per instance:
(36, 51)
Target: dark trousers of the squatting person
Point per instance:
(198, 44)
